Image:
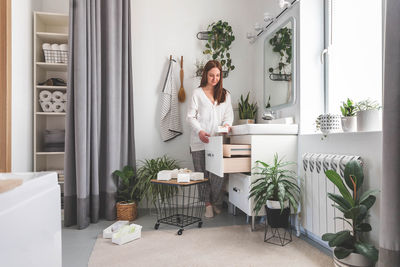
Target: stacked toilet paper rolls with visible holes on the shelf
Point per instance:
(53, 102)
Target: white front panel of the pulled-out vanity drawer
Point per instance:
(214, 156)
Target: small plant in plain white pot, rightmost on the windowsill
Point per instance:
(369, 116)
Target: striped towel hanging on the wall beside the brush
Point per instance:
(170, 123)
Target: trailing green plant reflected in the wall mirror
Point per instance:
(282, 44)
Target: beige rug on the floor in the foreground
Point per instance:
(220, 246)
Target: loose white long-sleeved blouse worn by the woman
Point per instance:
(203, 115)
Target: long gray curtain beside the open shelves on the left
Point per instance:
(99, 122)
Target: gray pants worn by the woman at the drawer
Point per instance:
(214, 185)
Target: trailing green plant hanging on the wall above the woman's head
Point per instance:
(220, 38)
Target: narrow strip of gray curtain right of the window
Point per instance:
(389, 251)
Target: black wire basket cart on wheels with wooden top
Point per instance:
(184, 208)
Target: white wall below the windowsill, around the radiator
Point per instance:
(368, 145)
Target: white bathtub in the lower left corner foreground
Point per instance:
(30, 221)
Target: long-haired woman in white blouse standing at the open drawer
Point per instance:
(209, 108)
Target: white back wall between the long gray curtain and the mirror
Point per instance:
(163, 28)
